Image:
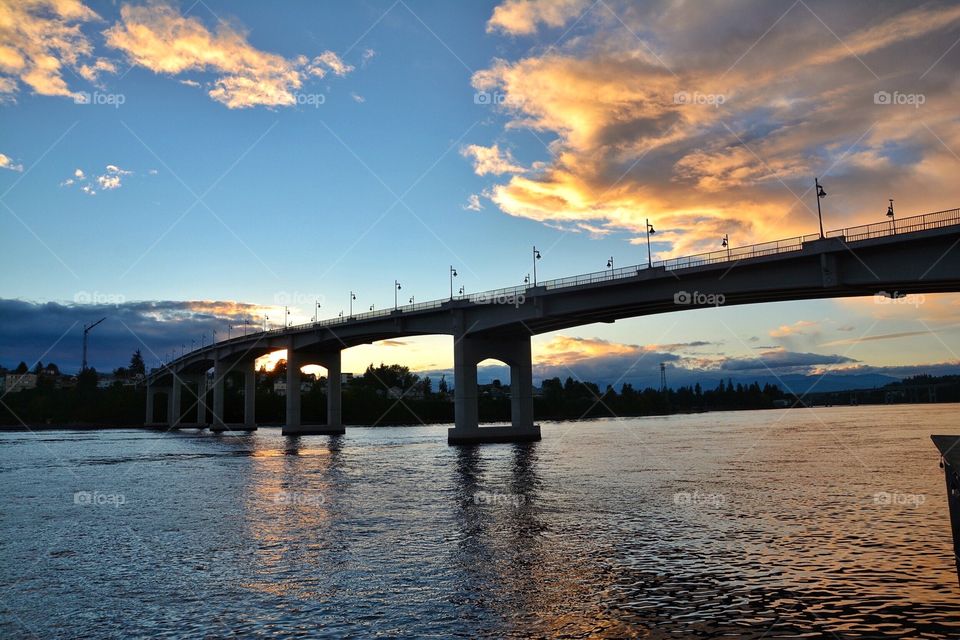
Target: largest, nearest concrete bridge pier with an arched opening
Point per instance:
(467, 353)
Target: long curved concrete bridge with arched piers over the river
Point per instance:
(894, 258)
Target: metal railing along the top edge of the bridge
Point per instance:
(935, 220)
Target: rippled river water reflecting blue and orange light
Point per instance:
(801, 523)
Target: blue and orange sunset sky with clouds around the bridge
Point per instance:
(180, 167)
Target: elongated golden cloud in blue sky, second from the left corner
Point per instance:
(156, 37)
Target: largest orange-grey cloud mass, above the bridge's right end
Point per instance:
(694, 120)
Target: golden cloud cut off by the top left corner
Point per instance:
(39, 40)
